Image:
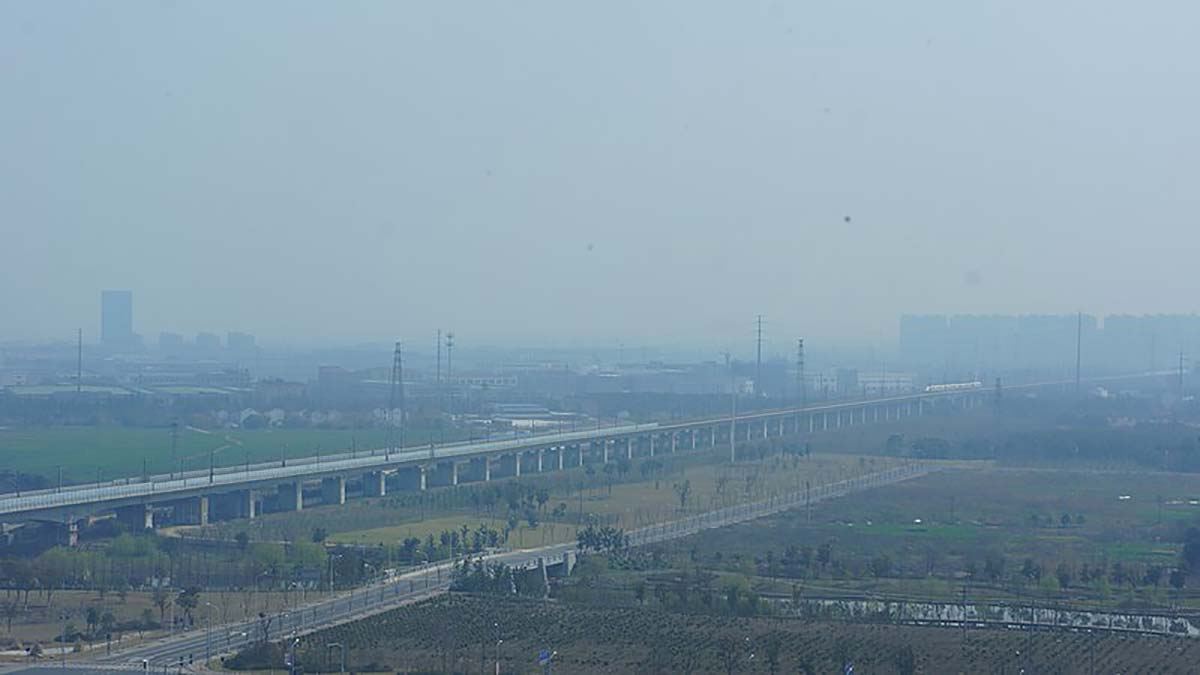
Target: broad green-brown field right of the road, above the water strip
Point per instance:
(1095, 539)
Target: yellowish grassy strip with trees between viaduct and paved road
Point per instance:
(634, 501)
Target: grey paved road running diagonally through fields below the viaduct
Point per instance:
(195, 646)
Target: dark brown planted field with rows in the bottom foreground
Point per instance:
(459, 634)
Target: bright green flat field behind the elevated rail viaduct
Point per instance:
(118, 452)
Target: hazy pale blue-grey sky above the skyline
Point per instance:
(548, 172)
